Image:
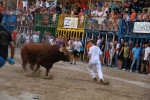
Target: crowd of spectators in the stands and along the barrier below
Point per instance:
(107, 15)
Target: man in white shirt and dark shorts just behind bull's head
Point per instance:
(76, 45)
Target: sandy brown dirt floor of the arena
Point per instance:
(71, 82)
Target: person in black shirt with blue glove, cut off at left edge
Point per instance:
(5, 40)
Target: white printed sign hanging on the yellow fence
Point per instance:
(70, 22)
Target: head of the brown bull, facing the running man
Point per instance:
(64, 54)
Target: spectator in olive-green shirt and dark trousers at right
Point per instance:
(125, 56)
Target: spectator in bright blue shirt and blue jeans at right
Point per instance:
(136, 57)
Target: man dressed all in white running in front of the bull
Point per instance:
(94, 56)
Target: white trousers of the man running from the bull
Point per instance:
(98, 67)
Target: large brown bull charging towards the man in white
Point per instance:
(44, 55)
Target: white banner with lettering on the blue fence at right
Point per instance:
(141, 27)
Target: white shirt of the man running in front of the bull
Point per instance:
(95, 53)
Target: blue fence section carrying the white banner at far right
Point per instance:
(126, 32)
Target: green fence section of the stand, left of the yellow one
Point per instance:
(46, 23)
